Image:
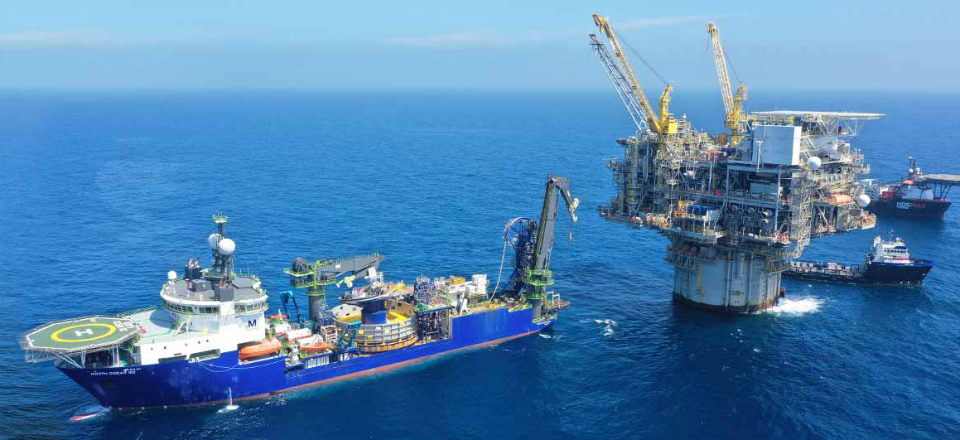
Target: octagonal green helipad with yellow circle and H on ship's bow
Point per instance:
(67, 339)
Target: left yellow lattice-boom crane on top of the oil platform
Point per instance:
(660, 123)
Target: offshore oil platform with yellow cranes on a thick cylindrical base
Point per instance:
(734, 205)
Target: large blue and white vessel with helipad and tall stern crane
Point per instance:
(212, 341)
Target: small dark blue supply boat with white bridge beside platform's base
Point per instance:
(888, 263)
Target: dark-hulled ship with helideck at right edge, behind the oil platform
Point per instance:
(919, 195)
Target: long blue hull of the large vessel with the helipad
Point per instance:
(182, 383)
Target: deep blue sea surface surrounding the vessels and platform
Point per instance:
(101, 193)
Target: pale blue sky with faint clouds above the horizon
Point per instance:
(489, 44)
